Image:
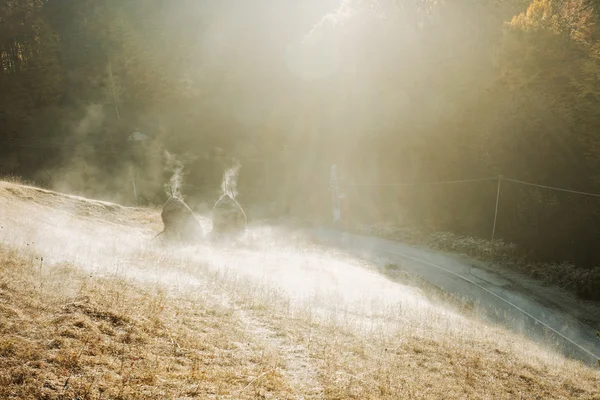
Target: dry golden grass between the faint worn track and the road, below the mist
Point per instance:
(417, 362)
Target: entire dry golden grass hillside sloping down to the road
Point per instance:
(73, 325)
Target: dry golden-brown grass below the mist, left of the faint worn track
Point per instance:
(64, 335)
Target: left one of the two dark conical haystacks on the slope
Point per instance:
(179, 221)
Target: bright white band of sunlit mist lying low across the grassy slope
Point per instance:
(267, 266)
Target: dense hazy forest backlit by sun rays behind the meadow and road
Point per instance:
(391, 91)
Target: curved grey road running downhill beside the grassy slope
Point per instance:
(498, 299)
